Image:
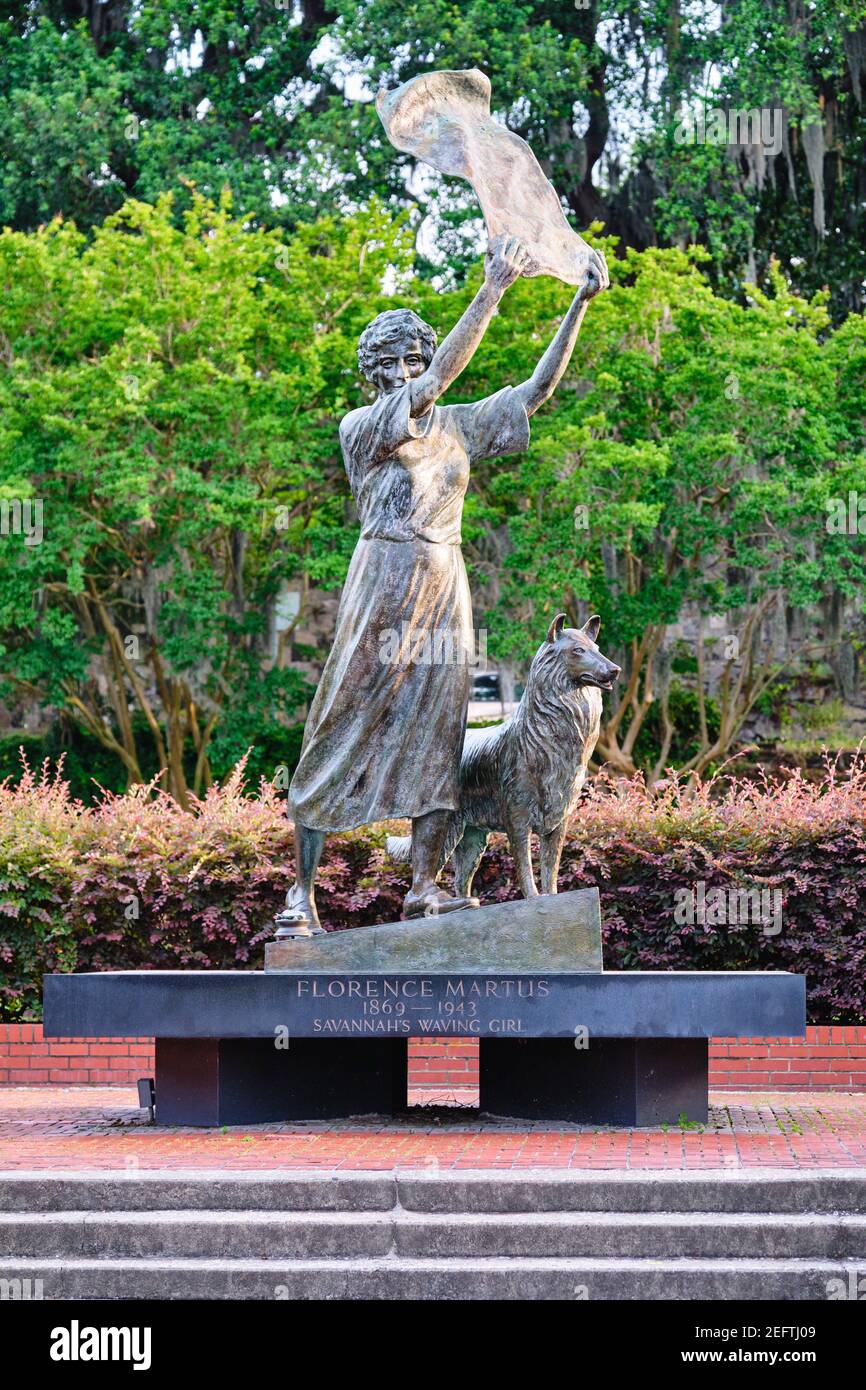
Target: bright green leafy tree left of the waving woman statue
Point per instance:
(170, 398)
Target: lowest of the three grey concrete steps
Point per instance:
(405, 1278)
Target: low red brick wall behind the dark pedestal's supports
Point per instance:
(829, 1060)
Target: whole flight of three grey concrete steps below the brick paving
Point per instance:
(487, 1235)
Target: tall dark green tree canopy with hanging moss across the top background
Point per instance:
(275, 99)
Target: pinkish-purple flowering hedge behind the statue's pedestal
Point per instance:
(138, 883)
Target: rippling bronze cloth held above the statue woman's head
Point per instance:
(446, 120)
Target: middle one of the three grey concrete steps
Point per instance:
(308, 1235)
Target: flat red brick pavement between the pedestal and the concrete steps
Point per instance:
(102, 1128)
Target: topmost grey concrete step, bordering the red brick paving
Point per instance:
(782, 1192)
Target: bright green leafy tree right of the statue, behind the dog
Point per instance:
(686, 462)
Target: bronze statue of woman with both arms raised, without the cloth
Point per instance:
(386, 729)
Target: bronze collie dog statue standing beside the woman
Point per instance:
(525, 776)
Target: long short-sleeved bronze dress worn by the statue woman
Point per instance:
(386, 729)
